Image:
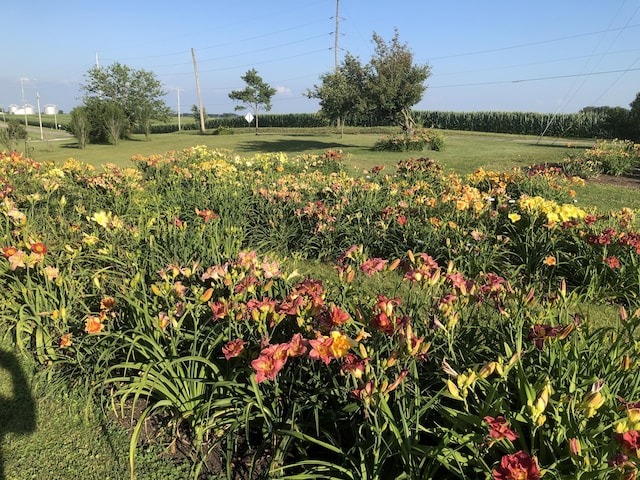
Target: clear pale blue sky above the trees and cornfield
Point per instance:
(542, 56)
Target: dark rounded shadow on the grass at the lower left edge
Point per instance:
(17, 409)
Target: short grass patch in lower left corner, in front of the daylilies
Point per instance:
(54, 433)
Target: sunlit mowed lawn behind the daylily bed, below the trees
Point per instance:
(464, 152)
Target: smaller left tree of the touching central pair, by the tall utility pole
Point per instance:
(341, 91)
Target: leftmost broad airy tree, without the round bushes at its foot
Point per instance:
(137, 92)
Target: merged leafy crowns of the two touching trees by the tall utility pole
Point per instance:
(387, 87)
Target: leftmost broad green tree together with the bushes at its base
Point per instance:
(118, 98)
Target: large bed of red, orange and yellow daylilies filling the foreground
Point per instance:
(448, 340)
